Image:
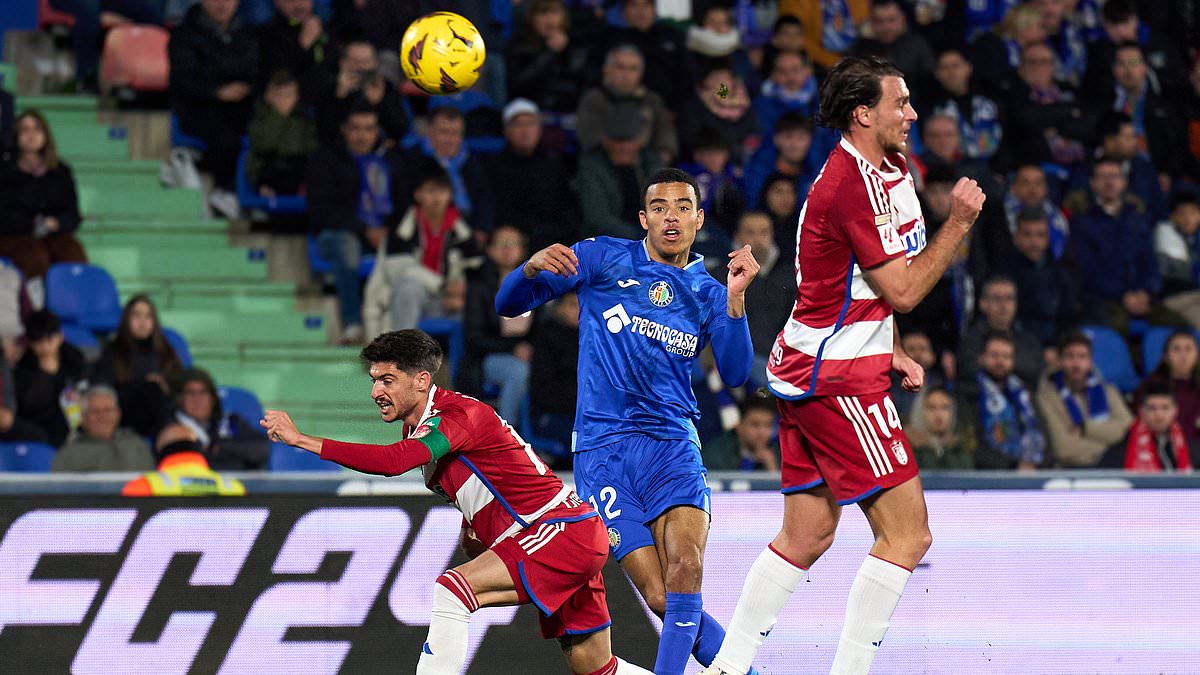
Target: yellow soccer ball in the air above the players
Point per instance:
(442, 53)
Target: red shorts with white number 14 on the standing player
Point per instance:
(853, 444)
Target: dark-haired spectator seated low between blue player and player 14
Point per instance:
(749, 446)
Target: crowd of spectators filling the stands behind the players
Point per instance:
(1079, 118)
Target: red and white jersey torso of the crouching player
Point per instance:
(490, 474)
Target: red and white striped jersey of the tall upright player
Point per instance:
(838, 341)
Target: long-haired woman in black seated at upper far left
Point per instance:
(39, 207)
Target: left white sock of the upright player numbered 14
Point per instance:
(770, 584)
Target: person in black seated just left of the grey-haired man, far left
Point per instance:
(47, 377)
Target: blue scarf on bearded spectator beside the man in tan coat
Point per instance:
(1009, 421)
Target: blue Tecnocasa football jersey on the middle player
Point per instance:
(641, 326)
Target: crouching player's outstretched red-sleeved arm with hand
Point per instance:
(383, 461)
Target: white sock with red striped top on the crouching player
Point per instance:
(446, 648)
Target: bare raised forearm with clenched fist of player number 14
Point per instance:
(904, 284)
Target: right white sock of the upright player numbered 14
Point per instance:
(873, 599)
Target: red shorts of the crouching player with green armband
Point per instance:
(556, 566)
